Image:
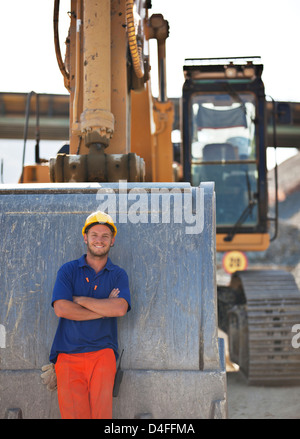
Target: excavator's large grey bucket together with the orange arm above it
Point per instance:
(119, 159)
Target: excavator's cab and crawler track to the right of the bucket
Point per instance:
(225, 138)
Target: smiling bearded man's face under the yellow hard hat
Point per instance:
(99, 239)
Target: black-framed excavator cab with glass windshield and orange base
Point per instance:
(224, 141)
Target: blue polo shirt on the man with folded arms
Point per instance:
(77, 278)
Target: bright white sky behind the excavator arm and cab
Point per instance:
(198, 28)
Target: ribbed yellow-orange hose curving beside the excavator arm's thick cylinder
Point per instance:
(135, 49)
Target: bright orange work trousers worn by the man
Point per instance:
(85, 384)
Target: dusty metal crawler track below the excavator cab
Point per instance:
(272, 308)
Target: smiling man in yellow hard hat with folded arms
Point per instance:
(88, 296)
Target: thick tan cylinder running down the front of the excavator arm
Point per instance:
(97, 121)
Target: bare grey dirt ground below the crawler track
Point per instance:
(253, 402)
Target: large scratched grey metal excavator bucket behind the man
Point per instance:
(173, 363)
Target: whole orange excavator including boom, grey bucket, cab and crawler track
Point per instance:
(120, 156)
